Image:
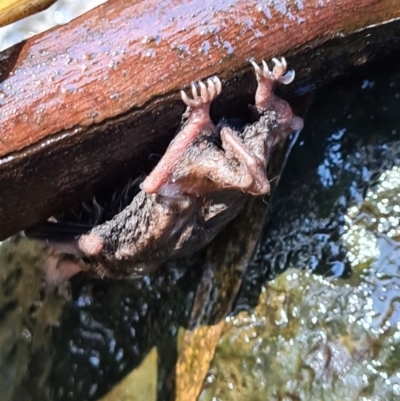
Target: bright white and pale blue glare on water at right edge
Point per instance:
(372, 234)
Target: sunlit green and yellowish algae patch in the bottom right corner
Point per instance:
(309, 338)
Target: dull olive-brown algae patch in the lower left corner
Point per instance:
(27, 315)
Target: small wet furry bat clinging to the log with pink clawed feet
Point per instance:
(198, 186)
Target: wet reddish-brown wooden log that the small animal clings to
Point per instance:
(86, 103)
